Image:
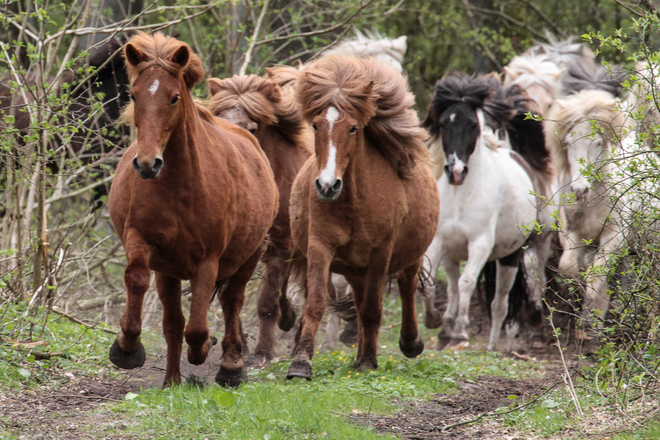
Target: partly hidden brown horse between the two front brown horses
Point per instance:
(273, 116)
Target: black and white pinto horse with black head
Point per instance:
(491, 159)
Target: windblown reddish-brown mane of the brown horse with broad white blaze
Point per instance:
(383, 106)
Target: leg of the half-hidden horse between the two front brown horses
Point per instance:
(269, 310)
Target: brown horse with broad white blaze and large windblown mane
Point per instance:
(366, 205)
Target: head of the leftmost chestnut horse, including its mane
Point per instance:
(160, 84)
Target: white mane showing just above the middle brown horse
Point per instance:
(384, 50)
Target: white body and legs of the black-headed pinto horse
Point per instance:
(482, 220)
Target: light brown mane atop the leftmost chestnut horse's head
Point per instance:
(159, 49)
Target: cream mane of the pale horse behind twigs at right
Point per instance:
(588, 105)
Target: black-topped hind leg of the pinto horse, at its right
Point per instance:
(507, 268)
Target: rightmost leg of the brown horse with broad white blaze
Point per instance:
(410, 342)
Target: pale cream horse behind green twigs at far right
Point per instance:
(584, 130)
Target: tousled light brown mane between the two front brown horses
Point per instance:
(262, 100)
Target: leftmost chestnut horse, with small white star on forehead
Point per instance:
(191, 201)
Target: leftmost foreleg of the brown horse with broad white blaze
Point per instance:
(318, 273)
